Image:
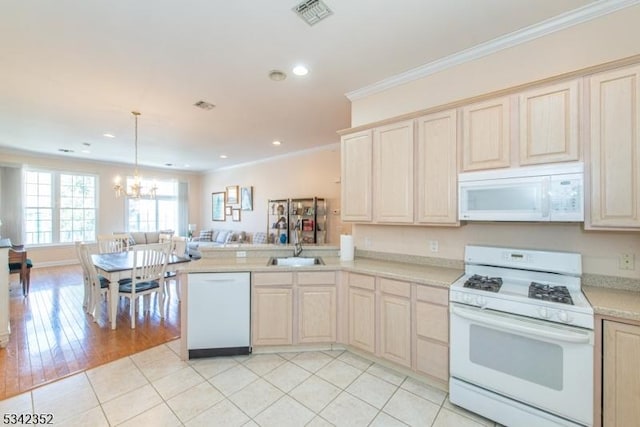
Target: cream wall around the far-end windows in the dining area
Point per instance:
(111, 213)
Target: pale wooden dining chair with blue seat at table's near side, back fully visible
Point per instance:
(147, 277)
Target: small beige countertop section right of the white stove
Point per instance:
(621, 303)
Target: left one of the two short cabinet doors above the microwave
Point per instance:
(486, 135)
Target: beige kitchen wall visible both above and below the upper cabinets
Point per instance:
(606, 39)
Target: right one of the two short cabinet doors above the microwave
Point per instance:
(549, 123)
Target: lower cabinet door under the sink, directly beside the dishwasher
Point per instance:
(272, 316)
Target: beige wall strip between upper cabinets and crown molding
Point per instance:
(606, 39)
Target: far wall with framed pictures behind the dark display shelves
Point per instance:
(305, 174)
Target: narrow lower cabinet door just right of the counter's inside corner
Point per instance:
(362, 316)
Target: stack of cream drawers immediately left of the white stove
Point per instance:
(432, 332)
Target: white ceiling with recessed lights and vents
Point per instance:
(73, 70)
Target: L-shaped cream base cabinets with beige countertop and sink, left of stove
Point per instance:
(392, 308)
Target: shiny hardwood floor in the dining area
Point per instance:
(52, 336)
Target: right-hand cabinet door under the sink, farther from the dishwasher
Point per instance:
(317, 314)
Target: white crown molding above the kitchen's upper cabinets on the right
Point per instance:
(557, 23)
